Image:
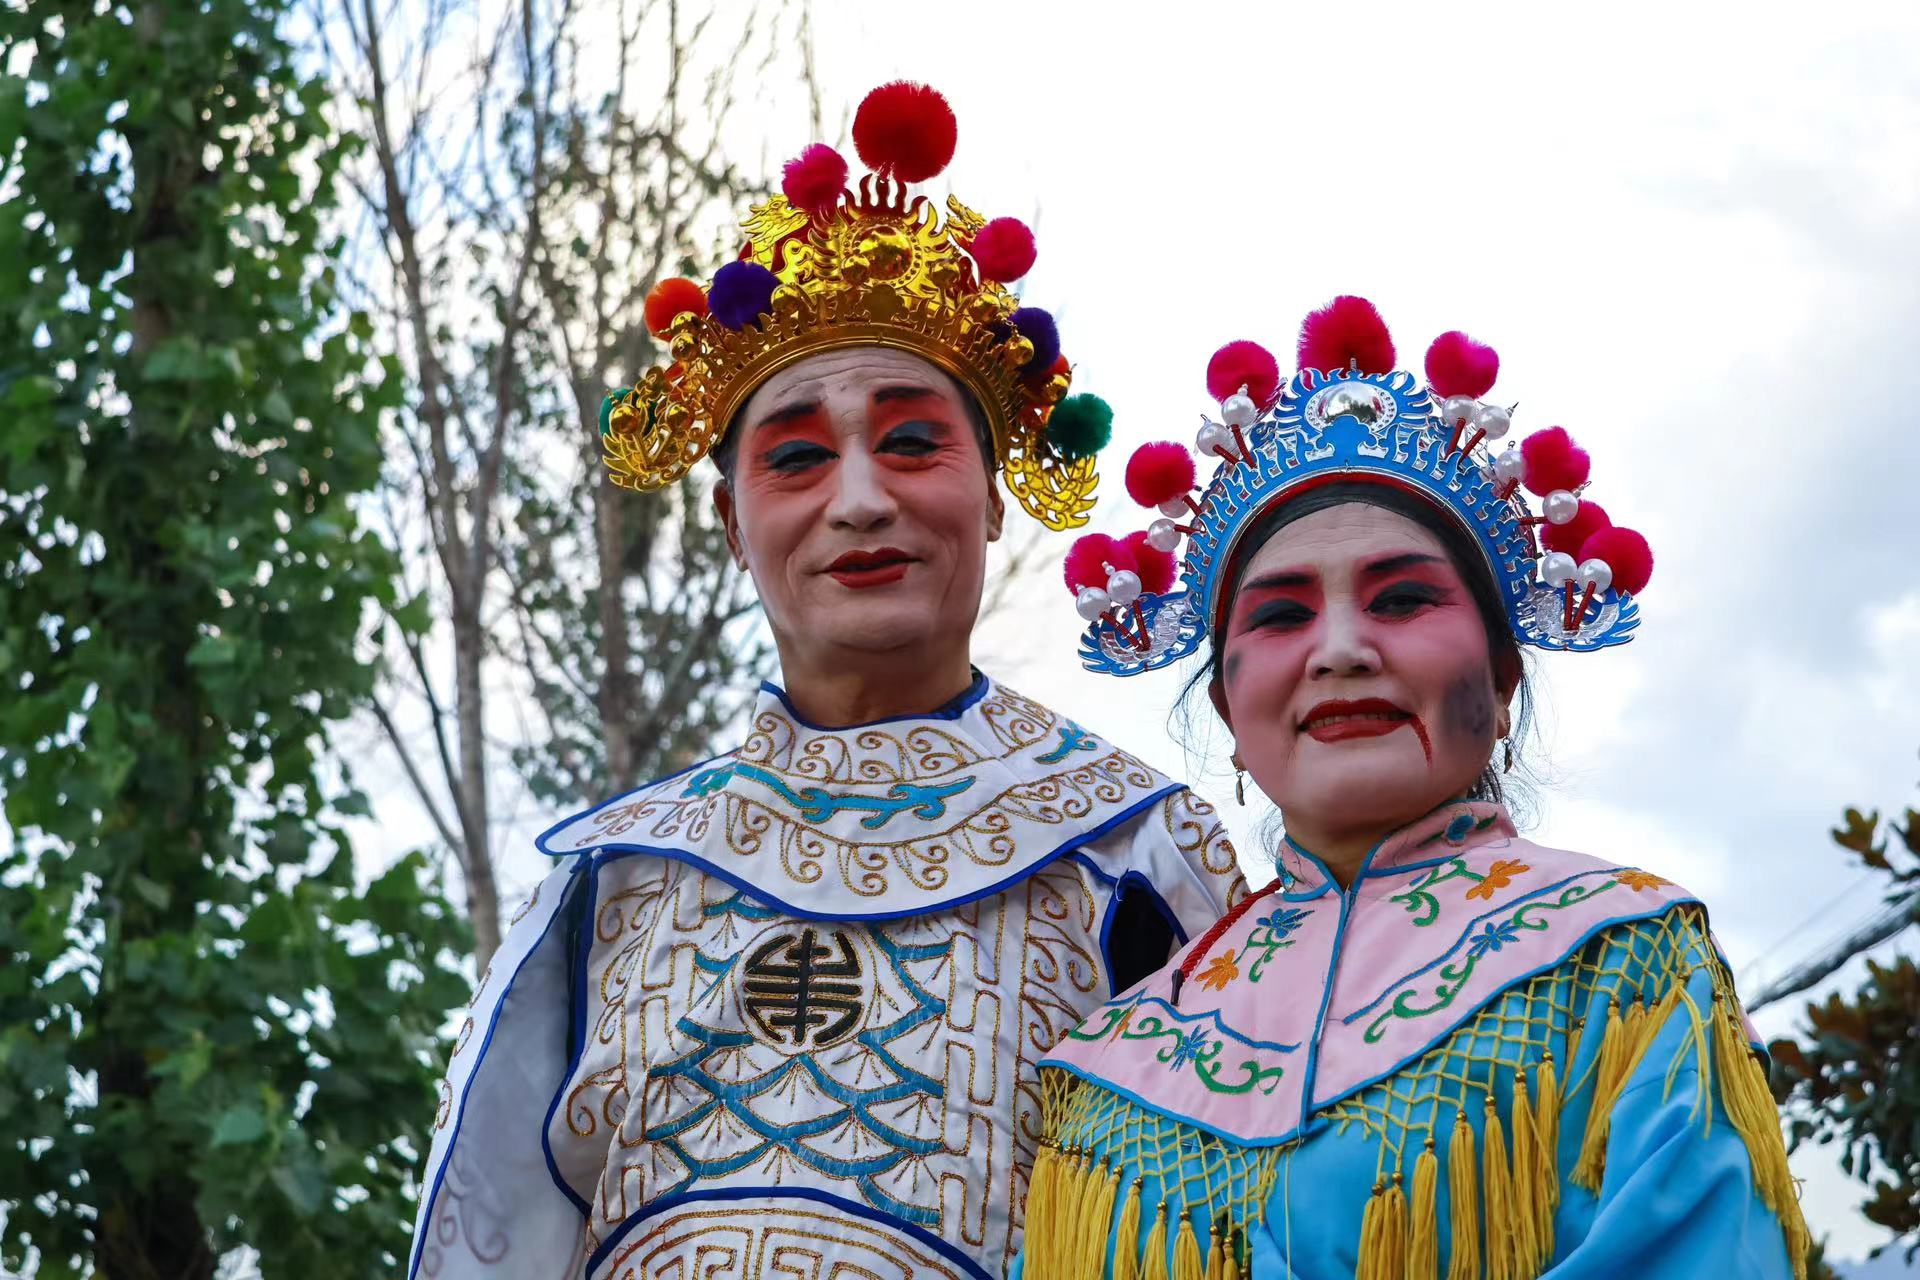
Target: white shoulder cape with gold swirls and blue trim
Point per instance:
(882, 820)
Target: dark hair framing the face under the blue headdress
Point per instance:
(1468, 561)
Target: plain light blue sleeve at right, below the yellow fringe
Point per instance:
(1677, 1200)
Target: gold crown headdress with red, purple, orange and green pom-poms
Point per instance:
(828, 268)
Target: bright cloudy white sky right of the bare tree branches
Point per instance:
(1691, 231)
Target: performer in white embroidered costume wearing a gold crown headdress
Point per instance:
(782, 1014)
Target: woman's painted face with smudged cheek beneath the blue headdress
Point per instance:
(1356, 673)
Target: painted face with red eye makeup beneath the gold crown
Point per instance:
(861, 504)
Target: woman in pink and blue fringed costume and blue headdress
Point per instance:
(1429, 1049)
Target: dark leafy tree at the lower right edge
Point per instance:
(1854, 1074)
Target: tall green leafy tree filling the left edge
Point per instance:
(210, 1037)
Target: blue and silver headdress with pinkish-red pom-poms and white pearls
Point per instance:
(1566, 577)
